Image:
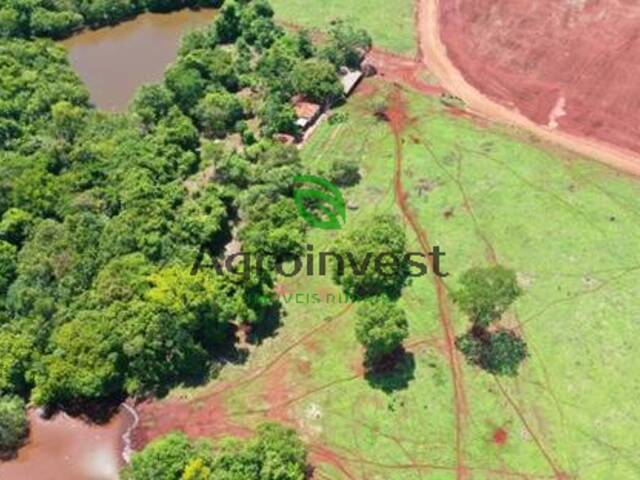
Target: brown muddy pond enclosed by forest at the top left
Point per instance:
(114, 62)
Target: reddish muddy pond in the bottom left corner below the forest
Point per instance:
(64, 448)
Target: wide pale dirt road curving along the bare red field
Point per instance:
(434, 56)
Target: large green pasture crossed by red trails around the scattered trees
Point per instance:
(567, 226)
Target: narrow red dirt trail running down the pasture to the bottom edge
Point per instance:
(397, 117)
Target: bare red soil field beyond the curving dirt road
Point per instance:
(571, 64)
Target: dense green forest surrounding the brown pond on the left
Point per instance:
(102, 216)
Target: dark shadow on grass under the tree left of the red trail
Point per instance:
(394, 373)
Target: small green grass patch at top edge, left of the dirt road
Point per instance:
(390, 23)
